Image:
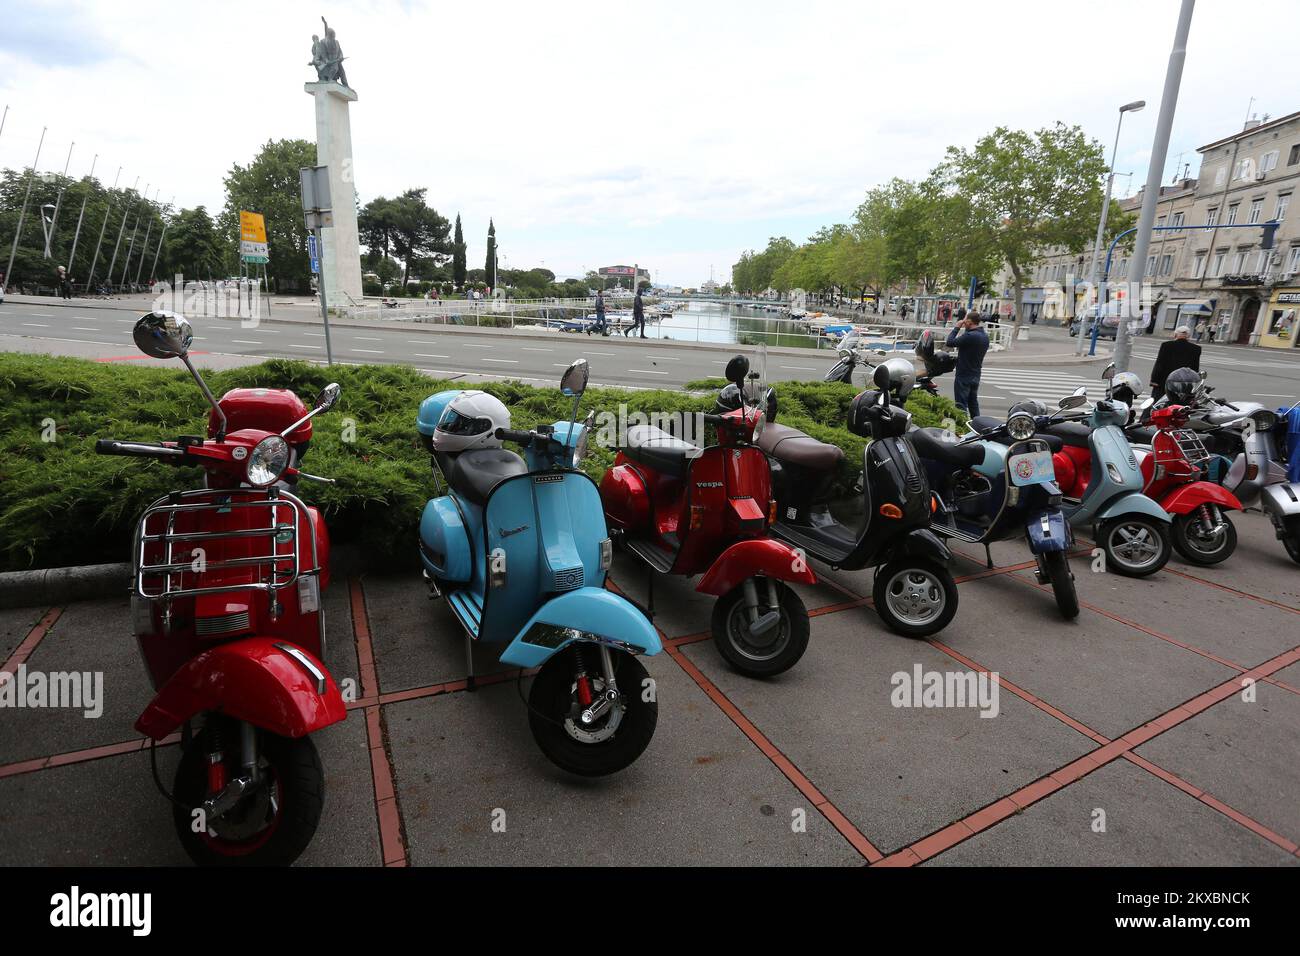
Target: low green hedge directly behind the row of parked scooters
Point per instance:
(62, 504)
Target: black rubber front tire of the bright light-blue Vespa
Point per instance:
(552, 700)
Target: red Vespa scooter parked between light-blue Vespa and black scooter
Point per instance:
(686, 511)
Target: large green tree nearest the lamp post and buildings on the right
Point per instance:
(1028, 192)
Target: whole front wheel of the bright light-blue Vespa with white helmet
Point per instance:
(614, 739)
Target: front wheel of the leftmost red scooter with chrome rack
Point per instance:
(271, 825)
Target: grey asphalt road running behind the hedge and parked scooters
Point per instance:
(1269, 377)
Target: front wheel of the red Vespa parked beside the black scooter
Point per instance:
(774, 648)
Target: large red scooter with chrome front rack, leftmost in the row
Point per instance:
(227, 604)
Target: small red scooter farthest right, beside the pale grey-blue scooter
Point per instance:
(1173, 474)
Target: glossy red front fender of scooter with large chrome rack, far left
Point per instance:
(265, 681)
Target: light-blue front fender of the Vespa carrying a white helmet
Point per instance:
(587, 615)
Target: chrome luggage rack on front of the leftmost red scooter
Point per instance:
(275, 570)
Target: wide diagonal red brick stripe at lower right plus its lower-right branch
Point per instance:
(960, 830)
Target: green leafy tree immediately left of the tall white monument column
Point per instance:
(271, 185)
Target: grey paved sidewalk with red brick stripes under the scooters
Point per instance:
(1159, 729)
